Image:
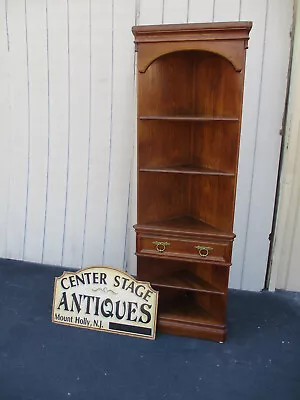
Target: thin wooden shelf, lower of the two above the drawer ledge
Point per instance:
(187, 169)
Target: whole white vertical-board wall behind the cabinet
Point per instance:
(67, 118)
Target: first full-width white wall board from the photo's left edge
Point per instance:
(19, 129)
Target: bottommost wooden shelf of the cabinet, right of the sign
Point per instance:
(185, 310)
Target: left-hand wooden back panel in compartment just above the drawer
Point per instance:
(162, 196)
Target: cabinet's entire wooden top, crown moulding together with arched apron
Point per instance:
(229, 40)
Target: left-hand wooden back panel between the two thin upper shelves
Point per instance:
(162, 143)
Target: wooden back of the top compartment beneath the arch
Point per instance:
(190, 83)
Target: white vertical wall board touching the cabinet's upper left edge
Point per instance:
(122, 132)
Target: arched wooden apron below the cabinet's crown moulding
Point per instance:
(150, 52)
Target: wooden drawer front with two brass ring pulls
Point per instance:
(210, 251)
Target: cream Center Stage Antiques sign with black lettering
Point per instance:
(105, 299)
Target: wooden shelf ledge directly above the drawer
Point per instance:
(184, 225)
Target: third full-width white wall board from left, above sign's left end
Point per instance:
(59, 130)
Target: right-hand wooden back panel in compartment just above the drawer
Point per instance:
(212, 200)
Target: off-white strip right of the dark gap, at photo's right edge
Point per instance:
(285, 272)
